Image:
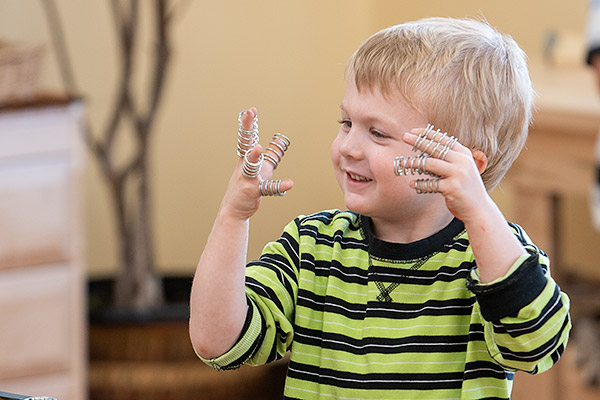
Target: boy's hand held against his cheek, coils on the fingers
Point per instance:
(459, 173)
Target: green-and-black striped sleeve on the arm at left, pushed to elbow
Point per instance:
(271, 290)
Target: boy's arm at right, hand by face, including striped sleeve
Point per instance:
(524, 314)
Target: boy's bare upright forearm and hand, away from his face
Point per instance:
(218, 305)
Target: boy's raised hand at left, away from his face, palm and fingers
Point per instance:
(242, 197)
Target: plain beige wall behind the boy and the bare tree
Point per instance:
(284, 57)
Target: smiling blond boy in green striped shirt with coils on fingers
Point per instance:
(409, 294)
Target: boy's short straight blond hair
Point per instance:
(463, 75)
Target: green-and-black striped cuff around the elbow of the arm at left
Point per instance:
(244, 348)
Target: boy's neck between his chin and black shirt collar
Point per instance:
(408, 231)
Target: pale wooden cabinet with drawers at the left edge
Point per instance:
(42, 297)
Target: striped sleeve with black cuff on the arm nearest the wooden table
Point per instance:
(525, 314)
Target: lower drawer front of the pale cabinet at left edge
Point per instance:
(36, 314)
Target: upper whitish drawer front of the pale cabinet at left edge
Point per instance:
(35, 222)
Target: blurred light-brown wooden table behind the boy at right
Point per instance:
(558, 161)
